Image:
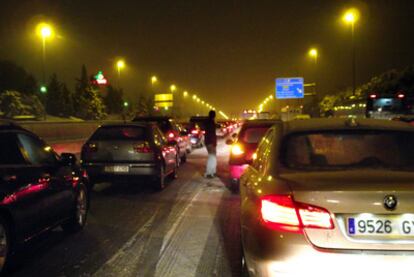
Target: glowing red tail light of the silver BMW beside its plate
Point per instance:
(281, 212)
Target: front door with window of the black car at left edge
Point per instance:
(55, 178)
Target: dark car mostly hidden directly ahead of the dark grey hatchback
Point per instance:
(172, 132)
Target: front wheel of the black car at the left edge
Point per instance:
(78, 220)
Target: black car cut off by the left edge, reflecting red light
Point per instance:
(39, 190)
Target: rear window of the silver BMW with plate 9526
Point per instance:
(350, 149)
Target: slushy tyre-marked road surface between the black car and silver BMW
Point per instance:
(189, 229)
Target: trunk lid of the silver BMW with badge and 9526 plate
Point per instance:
(355, 200)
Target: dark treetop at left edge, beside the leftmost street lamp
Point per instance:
(15, 78)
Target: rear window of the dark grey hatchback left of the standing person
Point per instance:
(120, 133)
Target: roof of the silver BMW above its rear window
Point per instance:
(343, 124)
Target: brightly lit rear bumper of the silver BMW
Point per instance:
(274, 253)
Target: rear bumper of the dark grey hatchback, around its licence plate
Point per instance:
(101, 171)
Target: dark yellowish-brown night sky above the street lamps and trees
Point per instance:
(228, 52)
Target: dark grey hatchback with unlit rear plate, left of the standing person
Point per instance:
(130, 152)
